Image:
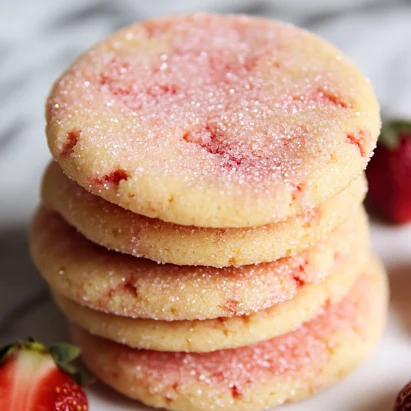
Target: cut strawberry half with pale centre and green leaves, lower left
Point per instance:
(34, 377)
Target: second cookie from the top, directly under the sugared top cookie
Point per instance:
(118, 229)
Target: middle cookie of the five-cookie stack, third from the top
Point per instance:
(135, 287)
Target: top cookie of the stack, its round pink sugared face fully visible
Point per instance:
(213, 120)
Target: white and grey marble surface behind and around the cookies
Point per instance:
(38, 39)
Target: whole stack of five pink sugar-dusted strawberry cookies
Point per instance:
(202, 226)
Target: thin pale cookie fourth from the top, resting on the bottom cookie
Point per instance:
(219, 333)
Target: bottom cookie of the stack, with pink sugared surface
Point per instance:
(283, 369)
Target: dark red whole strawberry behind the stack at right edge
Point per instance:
(389, 173)
